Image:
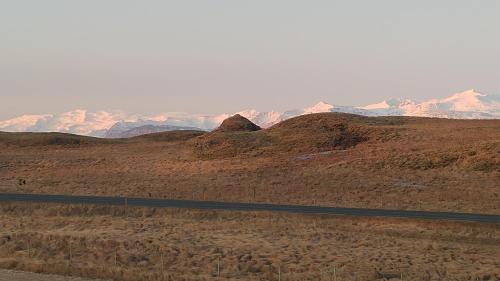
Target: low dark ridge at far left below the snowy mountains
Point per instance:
(43, 139)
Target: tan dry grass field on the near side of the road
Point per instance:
(168, 244)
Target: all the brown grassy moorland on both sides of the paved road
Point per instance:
(319, 159)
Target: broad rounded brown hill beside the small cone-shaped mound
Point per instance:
(304, 134)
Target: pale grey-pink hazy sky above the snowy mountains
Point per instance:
(219, 56)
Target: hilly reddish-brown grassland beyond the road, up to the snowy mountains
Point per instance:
(327, 159)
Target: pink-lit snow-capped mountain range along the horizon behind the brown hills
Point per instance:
(466, 105)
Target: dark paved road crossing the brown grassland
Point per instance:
(211, 205)
